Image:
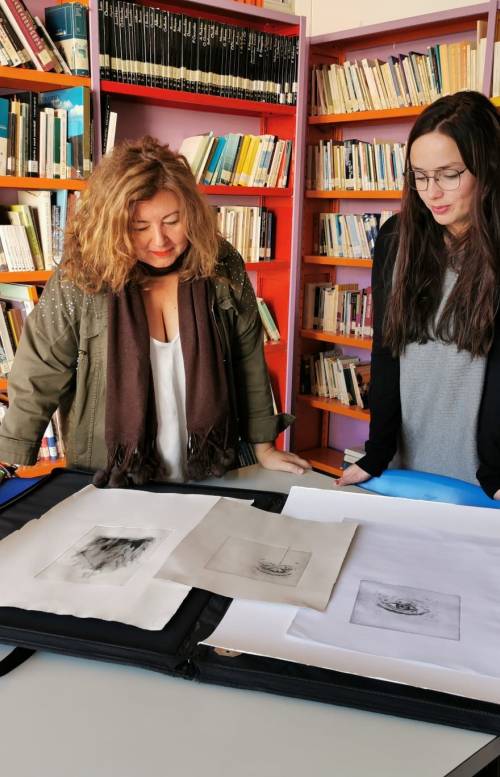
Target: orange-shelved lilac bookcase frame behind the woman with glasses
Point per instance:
(325, 427)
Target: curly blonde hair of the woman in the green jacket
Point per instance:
(98, 250)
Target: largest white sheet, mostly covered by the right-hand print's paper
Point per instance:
(261, 629)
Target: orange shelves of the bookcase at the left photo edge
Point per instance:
(19, 79)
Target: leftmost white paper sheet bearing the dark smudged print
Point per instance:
(95, 555)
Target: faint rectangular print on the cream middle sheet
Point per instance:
(258, 561)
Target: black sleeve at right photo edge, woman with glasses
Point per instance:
(488, 439)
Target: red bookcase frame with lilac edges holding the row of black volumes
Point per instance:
(172, 115)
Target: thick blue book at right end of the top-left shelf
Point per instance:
(67, 26)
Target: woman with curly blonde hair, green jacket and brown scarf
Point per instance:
(147, 337)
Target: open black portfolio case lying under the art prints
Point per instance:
(175, 649)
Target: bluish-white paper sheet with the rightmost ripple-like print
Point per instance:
(417, 594)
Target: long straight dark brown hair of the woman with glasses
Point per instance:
(467, 320)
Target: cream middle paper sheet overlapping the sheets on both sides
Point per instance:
(237, 550)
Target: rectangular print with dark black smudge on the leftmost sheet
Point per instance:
(105, 555)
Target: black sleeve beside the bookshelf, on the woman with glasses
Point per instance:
(385, 403)
